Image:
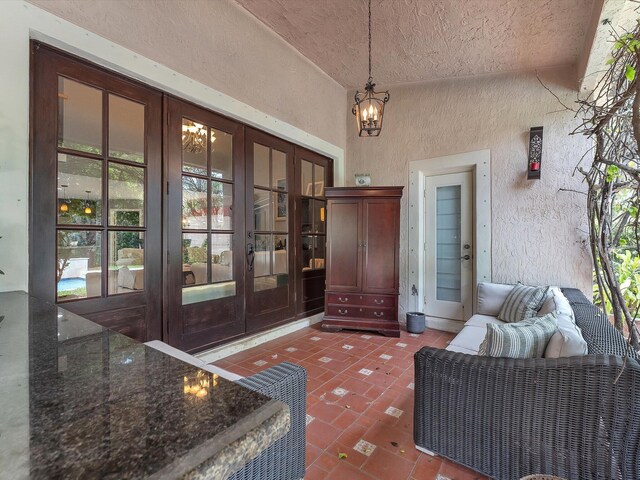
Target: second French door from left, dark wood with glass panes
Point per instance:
(205, 227)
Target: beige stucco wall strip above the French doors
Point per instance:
(220, 44)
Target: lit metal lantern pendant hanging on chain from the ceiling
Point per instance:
(369, 106)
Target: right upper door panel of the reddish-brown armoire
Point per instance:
(380, 223)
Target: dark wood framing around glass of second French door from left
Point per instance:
(173, 319)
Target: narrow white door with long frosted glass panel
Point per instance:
(448, 246)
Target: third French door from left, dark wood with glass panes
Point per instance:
(269, 239)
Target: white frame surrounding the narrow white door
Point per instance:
(479, 163)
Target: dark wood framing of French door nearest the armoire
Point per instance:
(309, 276)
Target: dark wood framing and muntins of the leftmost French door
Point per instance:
(47, 64)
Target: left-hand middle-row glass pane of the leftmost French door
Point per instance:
(79, 190)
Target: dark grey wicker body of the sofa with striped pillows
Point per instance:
(576, 417)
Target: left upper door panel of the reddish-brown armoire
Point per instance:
(344, 252)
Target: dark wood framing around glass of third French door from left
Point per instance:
(276, 316)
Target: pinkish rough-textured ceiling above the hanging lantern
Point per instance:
(421, 40)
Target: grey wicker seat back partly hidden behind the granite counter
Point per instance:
(284, 459)
